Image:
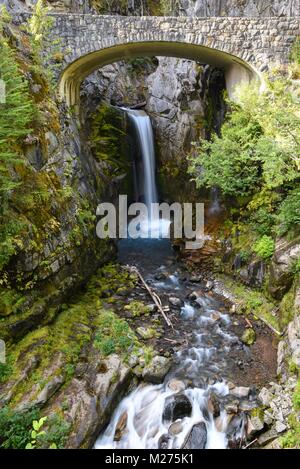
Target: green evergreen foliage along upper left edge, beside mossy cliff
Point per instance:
(16, 115)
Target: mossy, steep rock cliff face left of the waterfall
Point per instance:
(61, 185)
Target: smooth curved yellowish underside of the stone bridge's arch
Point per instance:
(236, 70)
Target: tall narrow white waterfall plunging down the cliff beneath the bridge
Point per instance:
(143, 128)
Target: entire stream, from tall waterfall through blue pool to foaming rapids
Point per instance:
(179, 412)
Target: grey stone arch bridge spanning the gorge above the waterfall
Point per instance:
(242, 46)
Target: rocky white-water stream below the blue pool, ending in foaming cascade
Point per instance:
(142, 420)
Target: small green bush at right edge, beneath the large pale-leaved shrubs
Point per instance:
(289, 212)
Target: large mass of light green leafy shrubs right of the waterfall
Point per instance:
(255, 161)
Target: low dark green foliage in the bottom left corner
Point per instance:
(15, 427)
